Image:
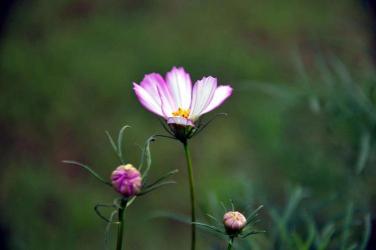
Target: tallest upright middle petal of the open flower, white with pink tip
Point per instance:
(180, 86)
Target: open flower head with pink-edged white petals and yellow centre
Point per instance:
(174, 98)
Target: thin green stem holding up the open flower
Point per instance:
(192, 195)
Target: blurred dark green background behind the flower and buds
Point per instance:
(299, 137)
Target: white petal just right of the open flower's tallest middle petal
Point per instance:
(203, 92)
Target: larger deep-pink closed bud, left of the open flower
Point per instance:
(127, 180)
